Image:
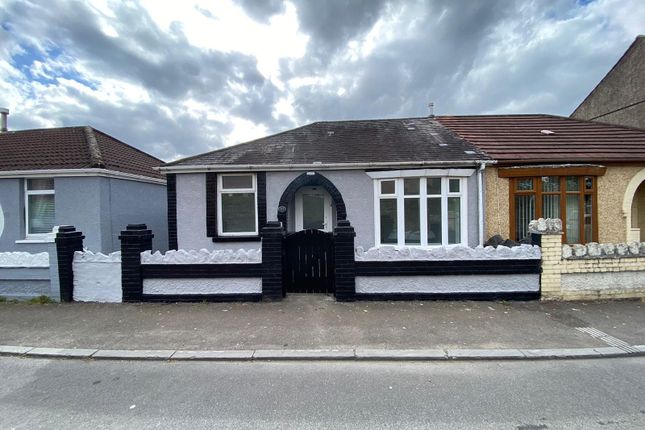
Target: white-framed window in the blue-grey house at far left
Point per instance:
(39, 206)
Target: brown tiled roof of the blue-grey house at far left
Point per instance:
(72, 148)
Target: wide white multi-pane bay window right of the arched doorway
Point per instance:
(420, 211)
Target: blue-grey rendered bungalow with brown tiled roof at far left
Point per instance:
(76, 176)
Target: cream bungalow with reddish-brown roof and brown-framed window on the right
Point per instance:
(589, 174)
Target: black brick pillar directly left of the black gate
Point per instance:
(272, 242)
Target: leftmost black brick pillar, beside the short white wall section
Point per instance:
(68, 241)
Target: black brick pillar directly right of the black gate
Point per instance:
(345, 269)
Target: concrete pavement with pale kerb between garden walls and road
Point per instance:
(317, 327)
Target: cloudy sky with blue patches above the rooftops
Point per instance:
(177, 78)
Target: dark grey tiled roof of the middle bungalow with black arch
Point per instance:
(367, 141)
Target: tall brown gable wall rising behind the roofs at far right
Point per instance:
(619, 98)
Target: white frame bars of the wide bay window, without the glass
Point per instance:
(423, 196)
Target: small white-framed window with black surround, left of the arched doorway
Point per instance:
(236, 205)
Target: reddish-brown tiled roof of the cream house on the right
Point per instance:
(519, 138)
